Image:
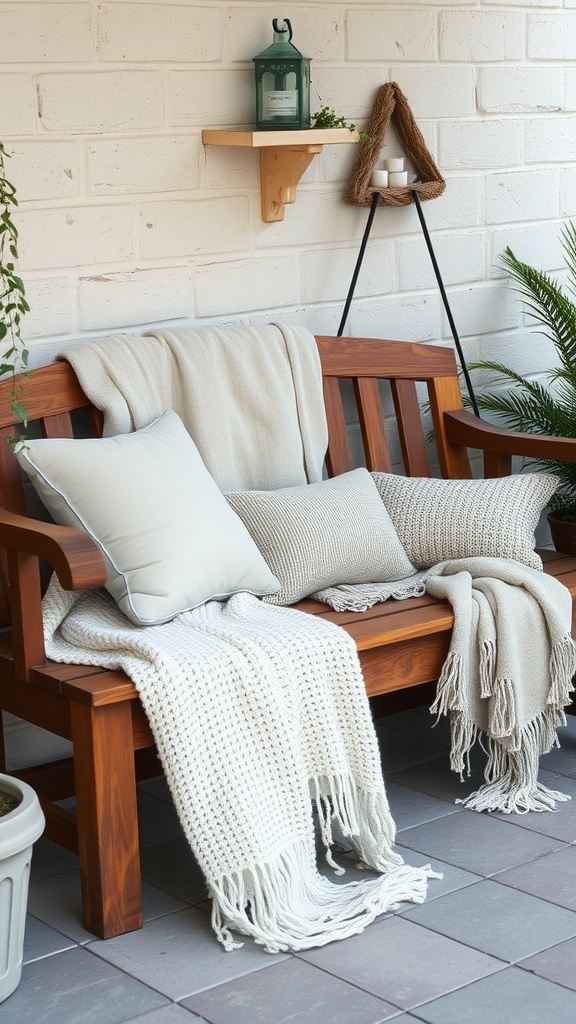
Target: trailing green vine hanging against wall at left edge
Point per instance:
(14, 355)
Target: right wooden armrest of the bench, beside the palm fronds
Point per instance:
(500, 445)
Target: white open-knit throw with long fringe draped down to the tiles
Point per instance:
(259, 713)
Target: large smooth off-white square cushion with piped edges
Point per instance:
(170, 539)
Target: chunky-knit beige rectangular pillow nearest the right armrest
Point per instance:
(440, 520)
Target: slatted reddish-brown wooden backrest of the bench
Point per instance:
(54, 399)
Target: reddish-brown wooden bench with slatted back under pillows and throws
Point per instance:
(401, 645)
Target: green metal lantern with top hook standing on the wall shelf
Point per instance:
(282, 82)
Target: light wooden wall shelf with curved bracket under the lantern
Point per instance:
(284, 158)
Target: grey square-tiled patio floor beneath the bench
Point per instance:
(496, 941)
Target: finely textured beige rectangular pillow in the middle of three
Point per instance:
(323, 534)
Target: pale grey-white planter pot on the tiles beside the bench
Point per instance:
(19, 831)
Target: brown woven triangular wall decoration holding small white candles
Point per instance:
(391, 103)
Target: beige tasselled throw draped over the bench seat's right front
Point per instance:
(509, 672)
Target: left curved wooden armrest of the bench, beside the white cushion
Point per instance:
(72, 553)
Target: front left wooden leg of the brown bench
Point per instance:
(107, 818)
